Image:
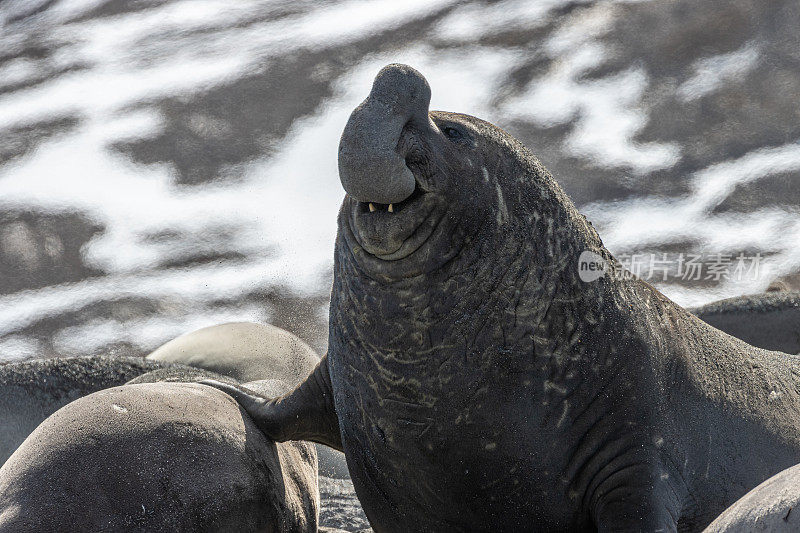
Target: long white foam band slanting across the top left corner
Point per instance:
(120, 76)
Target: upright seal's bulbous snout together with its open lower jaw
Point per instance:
(391, 212)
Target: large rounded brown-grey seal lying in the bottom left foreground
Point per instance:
(157, 457)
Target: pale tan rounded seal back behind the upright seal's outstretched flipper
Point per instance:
(248, 352)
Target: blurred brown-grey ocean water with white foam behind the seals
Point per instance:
(168, 165)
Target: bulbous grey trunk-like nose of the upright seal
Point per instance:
(370, 167)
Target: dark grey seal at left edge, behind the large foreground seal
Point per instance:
(30, 391)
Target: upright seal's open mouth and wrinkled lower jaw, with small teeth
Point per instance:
(394, 231)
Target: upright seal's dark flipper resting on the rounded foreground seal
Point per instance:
(306, 413)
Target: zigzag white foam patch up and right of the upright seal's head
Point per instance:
(607, 112)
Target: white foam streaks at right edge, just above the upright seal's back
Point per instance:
(643, 222)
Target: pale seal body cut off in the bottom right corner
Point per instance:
(772, 507)
